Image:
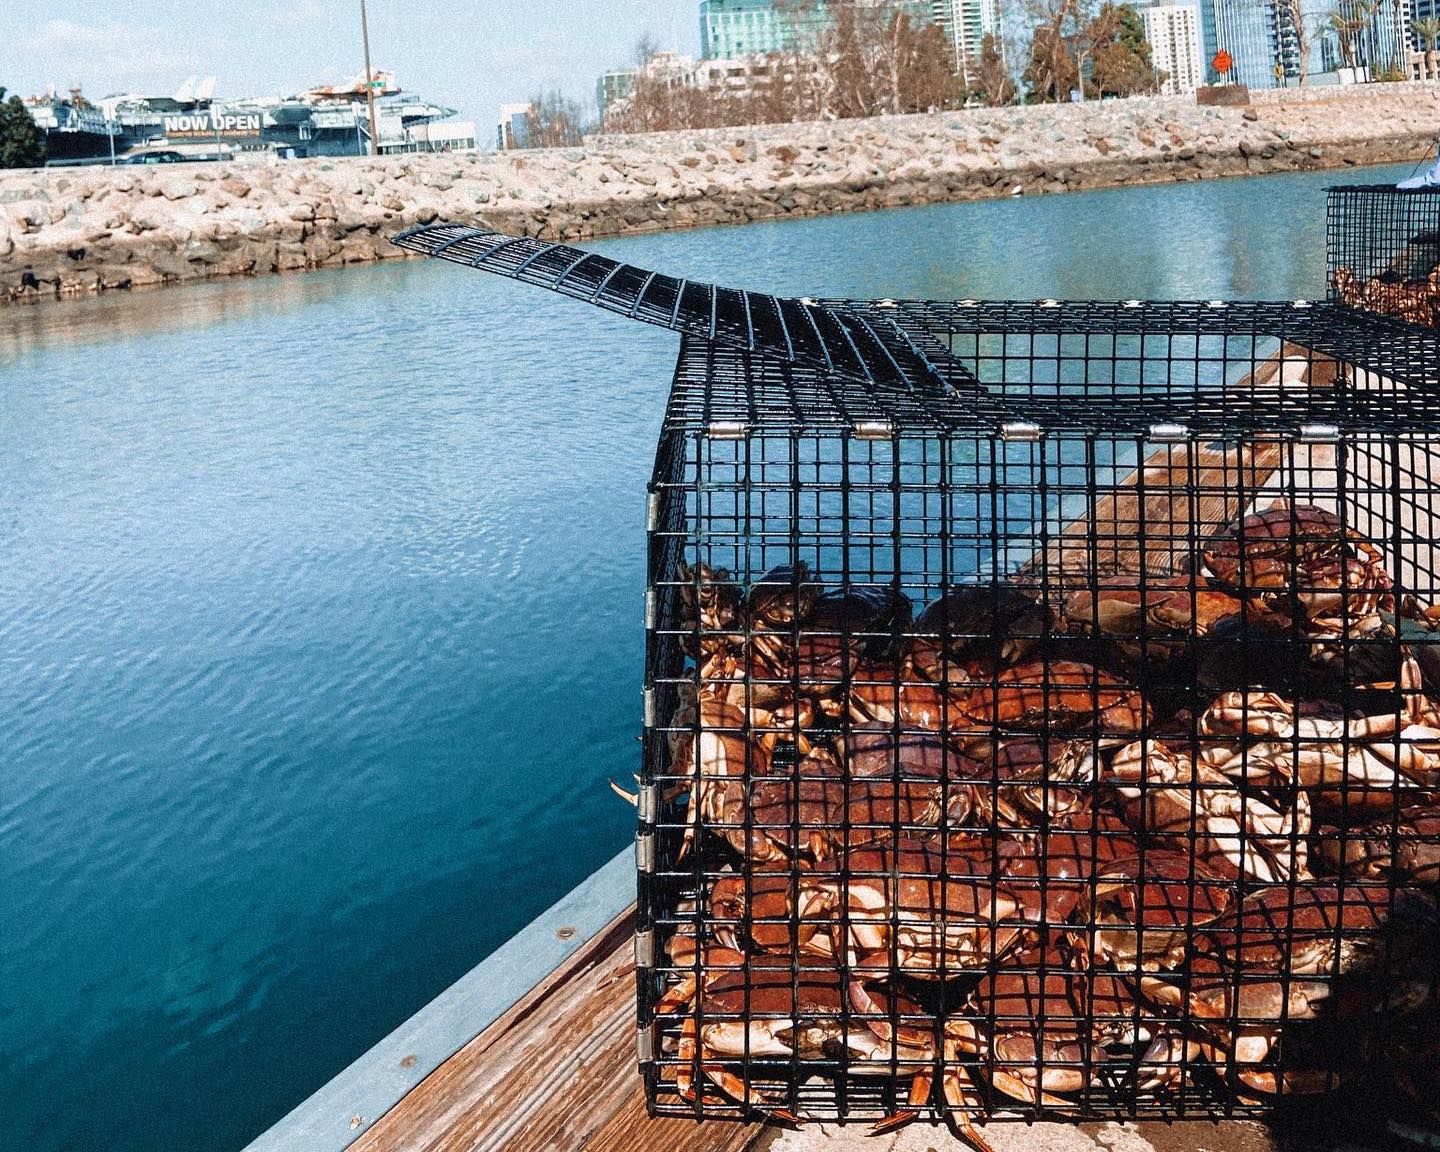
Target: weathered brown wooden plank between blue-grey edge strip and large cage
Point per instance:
(557, 1072)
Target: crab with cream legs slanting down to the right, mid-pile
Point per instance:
(1173, 800)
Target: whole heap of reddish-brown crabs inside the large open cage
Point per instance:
(1117, 843)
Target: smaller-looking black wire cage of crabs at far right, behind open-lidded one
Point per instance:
(1385, 250)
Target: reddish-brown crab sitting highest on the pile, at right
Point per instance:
(1301, 564)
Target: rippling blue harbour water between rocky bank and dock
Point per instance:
(320, 626)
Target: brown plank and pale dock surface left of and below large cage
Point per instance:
(558, 1074)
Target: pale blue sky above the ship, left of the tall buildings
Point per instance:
(473, 55)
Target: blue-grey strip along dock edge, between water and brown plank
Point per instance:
(341, 1112)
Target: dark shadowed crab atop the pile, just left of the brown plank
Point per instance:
(976, 631)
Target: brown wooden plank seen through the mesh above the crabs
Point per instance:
(1183, 493)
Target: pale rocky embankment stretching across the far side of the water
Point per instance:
(80, 231)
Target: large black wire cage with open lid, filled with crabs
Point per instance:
(1042, 703)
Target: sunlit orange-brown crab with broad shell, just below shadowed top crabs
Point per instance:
(1055, 696)
